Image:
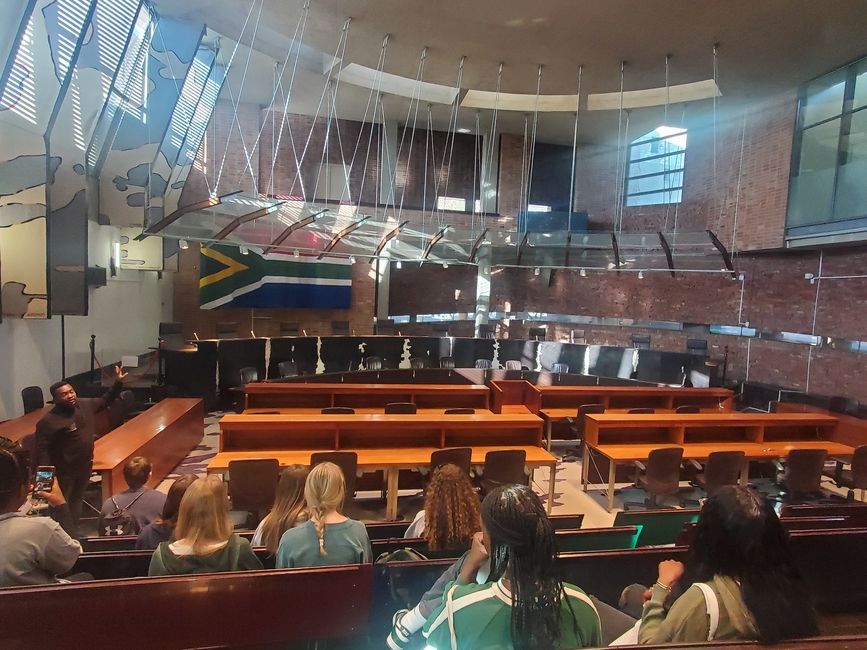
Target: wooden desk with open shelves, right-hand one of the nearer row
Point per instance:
(629, 438)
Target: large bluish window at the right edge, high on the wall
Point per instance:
(827, 193)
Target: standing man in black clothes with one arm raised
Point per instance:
(64, 437)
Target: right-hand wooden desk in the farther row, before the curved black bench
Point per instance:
(546, 397)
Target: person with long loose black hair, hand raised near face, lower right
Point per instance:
(739, 566)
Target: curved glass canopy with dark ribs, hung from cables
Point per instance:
(268, 224)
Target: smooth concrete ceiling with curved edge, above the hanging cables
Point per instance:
(765, 47)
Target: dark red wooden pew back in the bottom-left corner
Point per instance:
(249, 609)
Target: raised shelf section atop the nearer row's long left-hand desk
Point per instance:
(376, 430)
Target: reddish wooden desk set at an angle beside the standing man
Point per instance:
(165, 434)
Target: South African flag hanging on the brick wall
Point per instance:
(229, 279)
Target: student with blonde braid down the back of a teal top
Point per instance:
(328, 537)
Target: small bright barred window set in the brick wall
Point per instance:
(654, 173)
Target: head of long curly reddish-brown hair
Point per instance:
(451, 509)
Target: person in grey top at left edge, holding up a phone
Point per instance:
(33, 550)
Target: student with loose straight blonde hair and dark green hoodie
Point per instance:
(204, 542)
